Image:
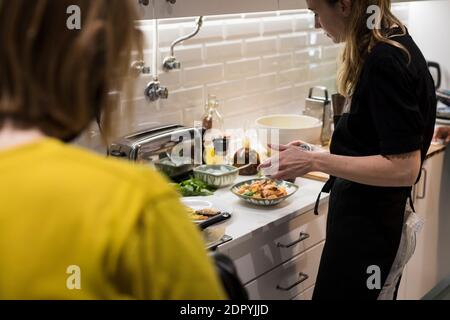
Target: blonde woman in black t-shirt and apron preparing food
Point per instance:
(377, 148)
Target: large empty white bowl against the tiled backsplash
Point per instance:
(290, 127)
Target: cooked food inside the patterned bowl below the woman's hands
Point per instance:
(262, 189)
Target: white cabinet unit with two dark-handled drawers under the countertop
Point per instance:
(282, 261)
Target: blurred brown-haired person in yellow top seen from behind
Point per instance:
(74, 225)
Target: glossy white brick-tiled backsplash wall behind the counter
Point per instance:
(256, 64)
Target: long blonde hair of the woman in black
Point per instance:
(360, 40)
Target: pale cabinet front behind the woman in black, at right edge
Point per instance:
(431, 260)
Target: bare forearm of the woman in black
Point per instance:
(392, 171)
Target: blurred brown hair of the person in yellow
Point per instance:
(55, 79)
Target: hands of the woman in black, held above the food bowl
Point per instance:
(290, 163)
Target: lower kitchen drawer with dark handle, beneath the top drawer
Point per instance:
(288, 280)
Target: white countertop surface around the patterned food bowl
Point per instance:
(247, 218)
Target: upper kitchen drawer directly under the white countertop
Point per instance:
(276, 244)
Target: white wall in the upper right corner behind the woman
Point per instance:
(429, 25)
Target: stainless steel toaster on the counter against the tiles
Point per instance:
(172, 149)
